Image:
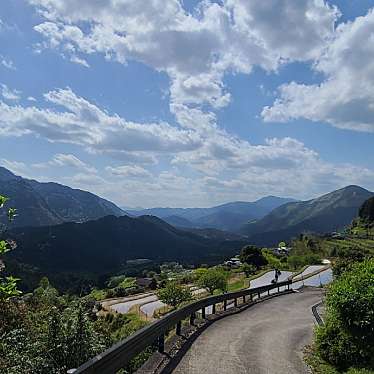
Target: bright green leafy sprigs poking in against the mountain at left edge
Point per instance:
(8, 285)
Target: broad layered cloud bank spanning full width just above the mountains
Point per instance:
(211, 164)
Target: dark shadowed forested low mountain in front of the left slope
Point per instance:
(92, 249)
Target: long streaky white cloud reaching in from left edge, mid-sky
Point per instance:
(83, 123)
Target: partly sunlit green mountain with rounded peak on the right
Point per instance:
(327, 213)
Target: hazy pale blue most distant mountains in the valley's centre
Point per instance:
(228, 217)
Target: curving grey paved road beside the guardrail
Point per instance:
(267, 338)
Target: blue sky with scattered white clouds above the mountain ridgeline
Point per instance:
(188, 103)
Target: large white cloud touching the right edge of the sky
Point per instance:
(345, 98)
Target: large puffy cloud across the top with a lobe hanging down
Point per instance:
(195, 49)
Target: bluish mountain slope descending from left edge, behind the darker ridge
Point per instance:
(40, 204)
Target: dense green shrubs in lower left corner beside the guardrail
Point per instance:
(47, 333)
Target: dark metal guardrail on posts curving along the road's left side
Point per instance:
(119, 355)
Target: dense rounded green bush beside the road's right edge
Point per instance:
(346, 338)
